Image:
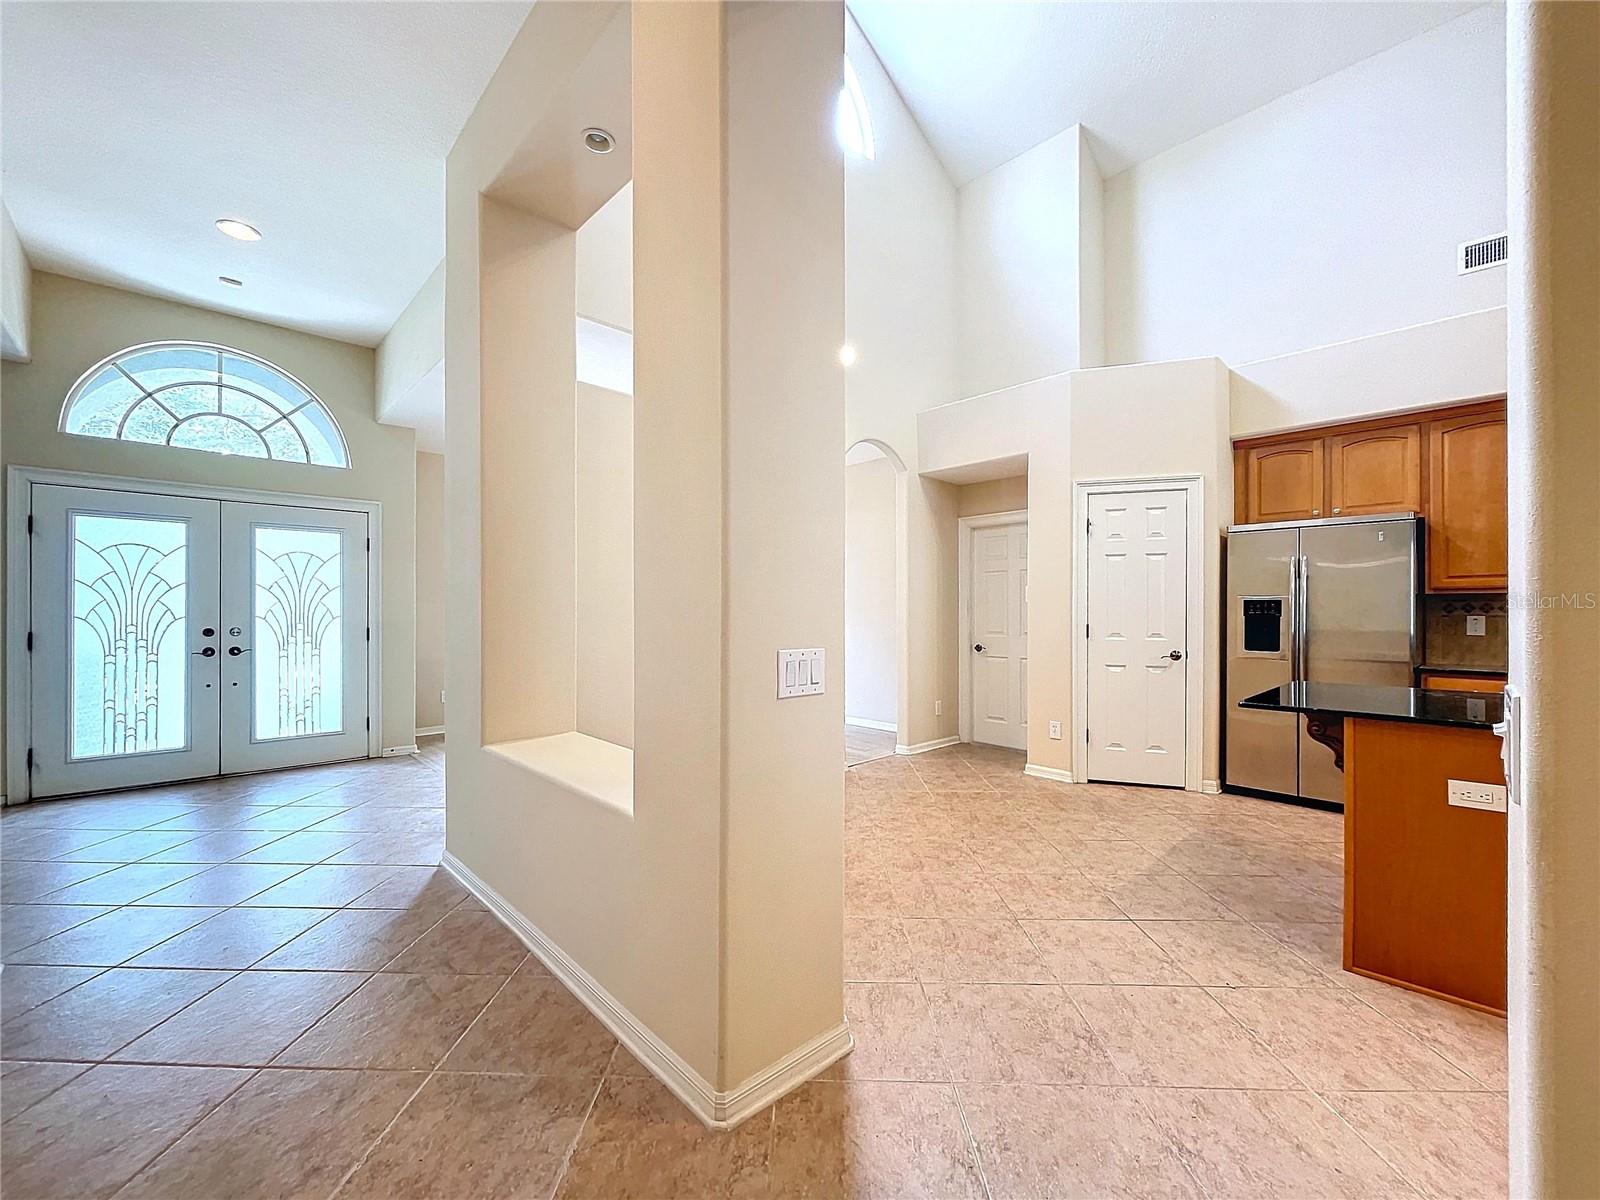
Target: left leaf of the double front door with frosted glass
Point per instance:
(124, 638)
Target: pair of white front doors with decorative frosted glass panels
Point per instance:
(175, 638)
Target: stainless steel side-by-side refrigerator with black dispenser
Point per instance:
(1332, 602)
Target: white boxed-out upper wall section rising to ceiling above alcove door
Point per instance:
(1022, 266)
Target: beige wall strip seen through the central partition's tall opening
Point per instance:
(604, 574)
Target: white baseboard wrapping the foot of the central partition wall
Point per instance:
(716, 1110)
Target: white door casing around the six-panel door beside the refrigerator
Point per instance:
(1194, 614)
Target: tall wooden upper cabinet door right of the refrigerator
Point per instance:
(1466, 503)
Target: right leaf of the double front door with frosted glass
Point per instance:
(295, 636)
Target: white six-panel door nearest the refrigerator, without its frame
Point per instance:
(1138, 575)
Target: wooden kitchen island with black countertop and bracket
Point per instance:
(1425, 879)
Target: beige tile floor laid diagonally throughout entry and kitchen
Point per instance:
(266, 988)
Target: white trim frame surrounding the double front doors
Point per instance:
(20, 582)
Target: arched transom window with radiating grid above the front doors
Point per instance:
(204, 398)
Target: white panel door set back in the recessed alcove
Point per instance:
(999, 636)
